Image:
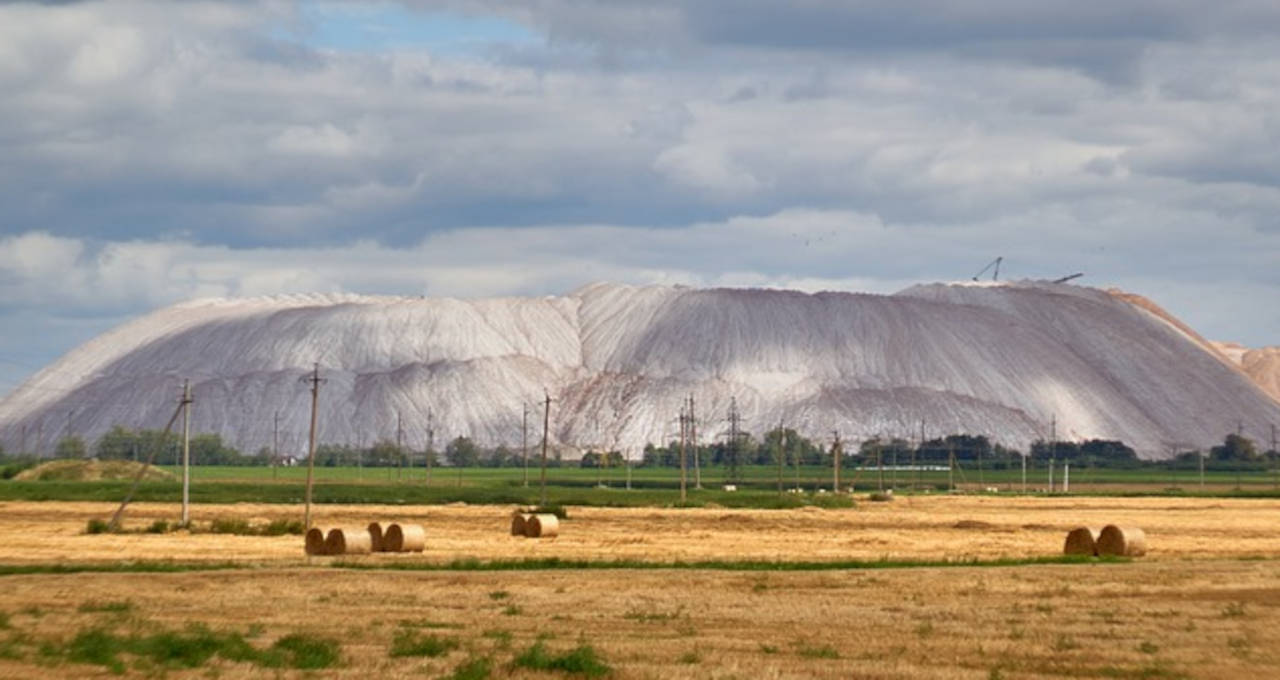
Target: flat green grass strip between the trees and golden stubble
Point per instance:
(650, 486)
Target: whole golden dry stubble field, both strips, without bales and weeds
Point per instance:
(1203, 605)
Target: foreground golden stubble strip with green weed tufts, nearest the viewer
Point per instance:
(1205, 619)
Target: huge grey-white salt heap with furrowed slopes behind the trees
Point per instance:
(1003, 360)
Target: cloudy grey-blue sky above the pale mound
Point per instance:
(157, 152)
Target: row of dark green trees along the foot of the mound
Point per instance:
(780, 445)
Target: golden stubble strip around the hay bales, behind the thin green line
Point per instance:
(911, 528)
